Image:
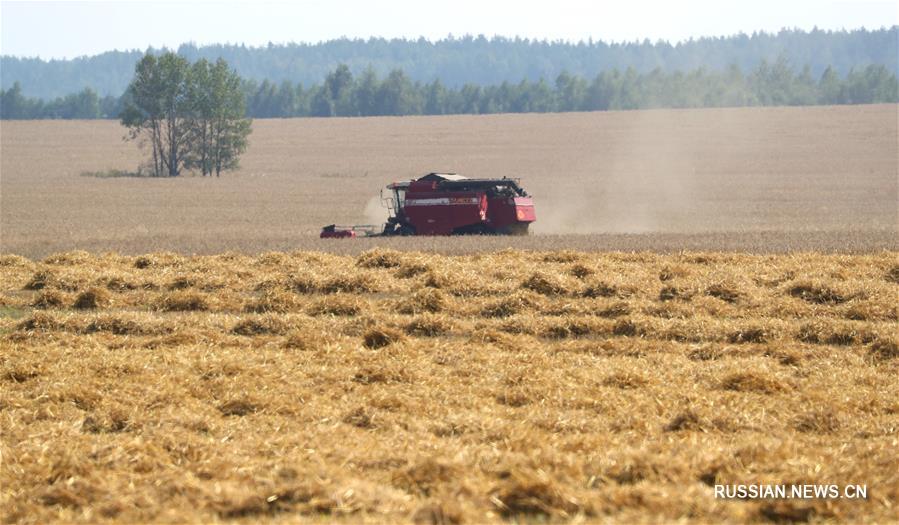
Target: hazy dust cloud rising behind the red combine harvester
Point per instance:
(641, 181)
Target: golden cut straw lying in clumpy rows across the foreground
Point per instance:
(402, 386)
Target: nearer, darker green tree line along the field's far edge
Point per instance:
(344, 94)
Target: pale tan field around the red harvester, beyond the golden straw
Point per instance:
(750, 179)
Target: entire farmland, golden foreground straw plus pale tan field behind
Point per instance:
(708, 298)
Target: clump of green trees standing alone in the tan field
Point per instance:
(193, 115)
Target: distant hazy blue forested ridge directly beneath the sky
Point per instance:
(475, 60)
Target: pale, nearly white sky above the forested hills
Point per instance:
(57, 30)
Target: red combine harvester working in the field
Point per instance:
(448, 204)
